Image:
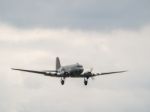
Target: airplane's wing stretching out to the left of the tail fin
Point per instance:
(48, 72)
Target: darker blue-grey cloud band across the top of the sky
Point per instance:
(78, 14)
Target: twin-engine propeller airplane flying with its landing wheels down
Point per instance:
(72, 71)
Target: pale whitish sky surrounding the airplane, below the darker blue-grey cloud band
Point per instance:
(37, 49)
